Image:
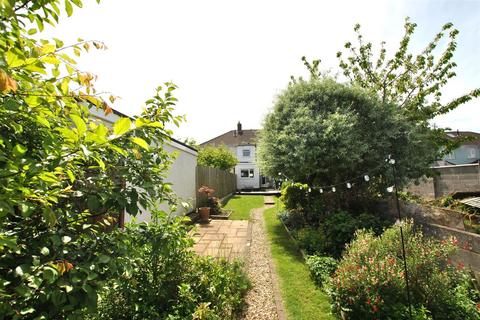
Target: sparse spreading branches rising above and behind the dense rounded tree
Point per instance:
(412, 81)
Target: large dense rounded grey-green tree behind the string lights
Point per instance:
(322, 133)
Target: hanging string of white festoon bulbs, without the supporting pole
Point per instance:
(349, 183)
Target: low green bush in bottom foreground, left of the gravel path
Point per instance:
(168, 281)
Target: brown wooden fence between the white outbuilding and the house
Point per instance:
(223, 182)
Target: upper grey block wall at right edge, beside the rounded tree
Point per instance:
(449, 179)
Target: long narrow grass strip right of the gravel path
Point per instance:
(302, 299)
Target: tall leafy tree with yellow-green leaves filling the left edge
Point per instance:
(64, 178)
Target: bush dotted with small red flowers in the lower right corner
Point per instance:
(370, 284)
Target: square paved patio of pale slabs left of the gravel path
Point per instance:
(229, 239)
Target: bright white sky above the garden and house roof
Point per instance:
(231, 59)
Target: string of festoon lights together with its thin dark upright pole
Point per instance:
(366, 178)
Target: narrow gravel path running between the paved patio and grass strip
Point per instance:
(260, 300)
